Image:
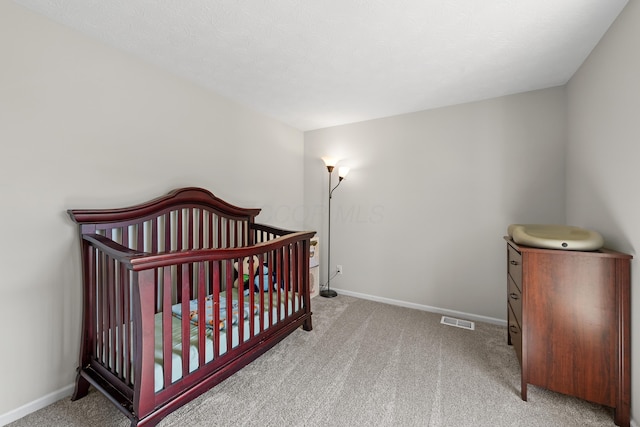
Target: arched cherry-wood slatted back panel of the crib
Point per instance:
(186, 218)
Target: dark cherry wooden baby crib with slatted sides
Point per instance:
(189, 253)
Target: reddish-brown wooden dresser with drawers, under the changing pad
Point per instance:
(569, 319)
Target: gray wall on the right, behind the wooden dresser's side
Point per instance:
(603, 154)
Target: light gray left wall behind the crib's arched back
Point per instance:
(81, 126)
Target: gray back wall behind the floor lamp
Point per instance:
(420, 218)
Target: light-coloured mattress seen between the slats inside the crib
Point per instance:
(176, 355)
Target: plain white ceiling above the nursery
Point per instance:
(320, 63)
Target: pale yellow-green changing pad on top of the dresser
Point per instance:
(551, 236)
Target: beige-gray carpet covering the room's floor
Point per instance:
(364, 364)
